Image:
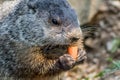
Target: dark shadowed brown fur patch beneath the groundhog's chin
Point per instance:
(54, 51)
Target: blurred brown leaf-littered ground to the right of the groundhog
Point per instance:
(98, 46)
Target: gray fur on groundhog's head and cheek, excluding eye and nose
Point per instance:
(30, 22)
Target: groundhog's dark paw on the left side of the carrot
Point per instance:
(66, 62)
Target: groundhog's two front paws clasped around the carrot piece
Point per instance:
(66, 62)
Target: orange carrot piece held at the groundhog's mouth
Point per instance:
(73, 50)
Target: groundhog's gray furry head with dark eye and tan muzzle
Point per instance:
(46, 23)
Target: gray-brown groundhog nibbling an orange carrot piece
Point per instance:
(34, 37)
